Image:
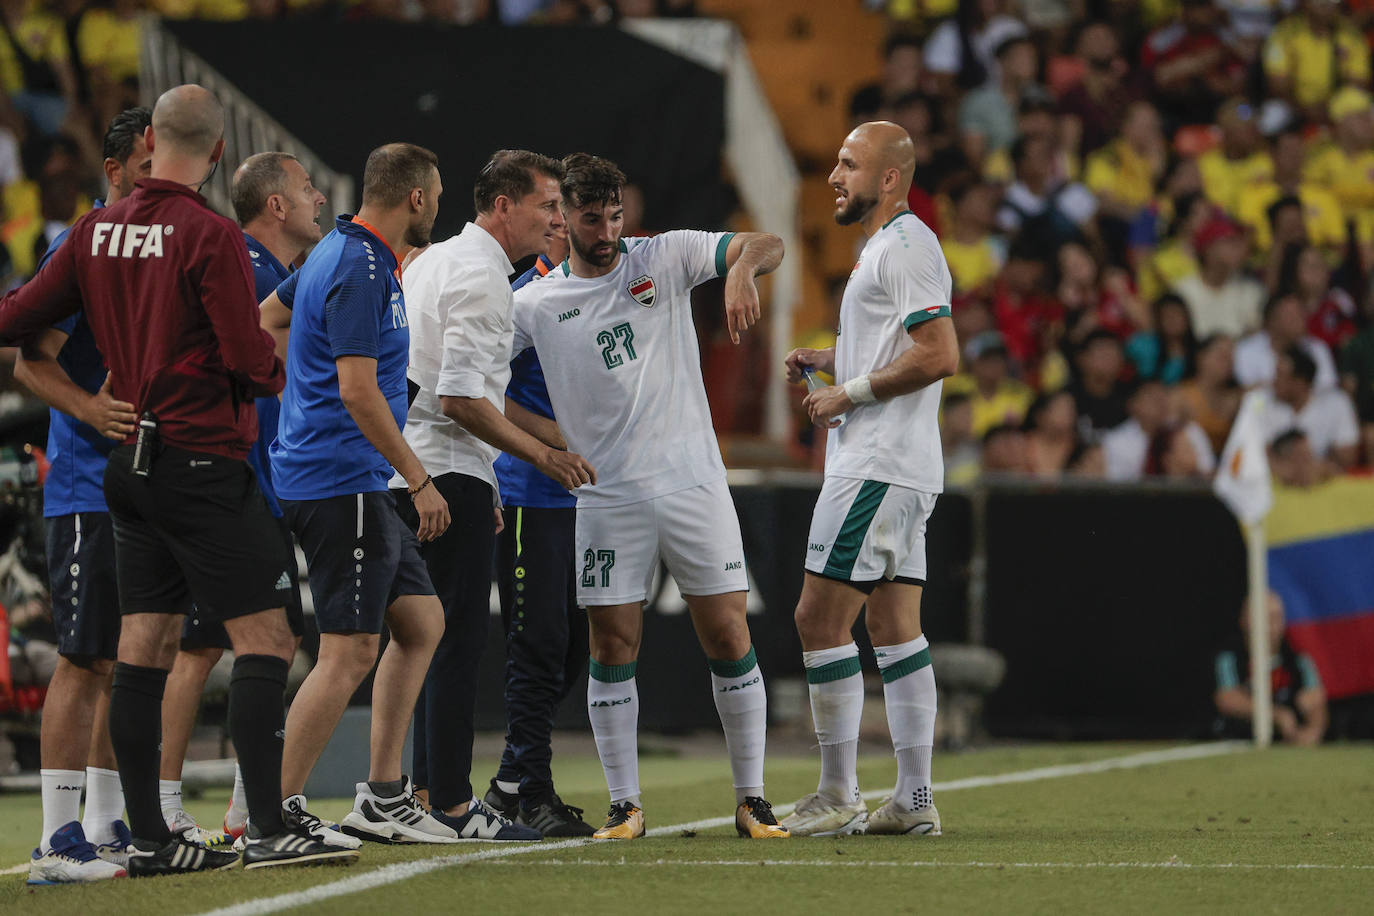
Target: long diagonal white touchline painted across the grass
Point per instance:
(402, 871)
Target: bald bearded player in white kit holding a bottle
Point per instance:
(884, 469)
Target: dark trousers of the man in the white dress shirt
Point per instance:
(461, 568)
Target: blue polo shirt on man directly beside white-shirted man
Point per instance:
(346, 301)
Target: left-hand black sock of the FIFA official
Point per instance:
(137, 734)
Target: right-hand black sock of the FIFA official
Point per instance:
(258, 709)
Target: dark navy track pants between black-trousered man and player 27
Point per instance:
(546, 638)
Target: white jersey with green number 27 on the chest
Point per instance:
(623, 367)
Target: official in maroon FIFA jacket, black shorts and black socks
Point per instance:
(167, 288)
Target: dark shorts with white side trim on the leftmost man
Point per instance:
(86, 595)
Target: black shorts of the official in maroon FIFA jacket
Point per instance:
(196, 531)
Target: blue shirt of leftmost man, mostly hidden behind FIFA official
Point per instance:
(78, 454)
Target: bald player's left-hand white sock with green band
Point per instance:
(836, 686)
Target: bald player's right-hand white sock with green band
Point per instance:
(909, 687)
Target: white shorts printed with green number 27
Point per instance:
(696, 532)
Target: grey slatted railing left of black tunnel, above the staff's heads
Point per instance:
(248, 128)
